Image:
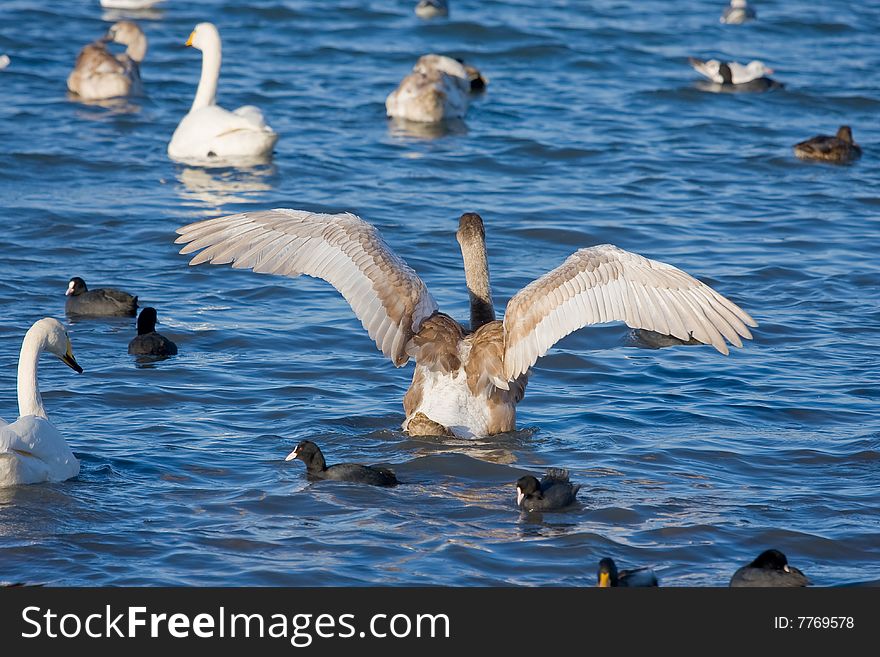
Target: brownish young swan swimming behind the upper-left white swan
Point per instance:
(99, 75)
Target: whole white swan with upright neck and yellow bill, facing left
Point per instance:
(209, 133)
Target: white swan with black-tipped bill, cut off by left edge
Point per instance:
(31, 449)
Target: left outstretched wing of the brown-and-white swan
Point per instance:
(385, 293)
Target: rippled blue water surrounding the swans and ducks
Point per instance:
(592, 130)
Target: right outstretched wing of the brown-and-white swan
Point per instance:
(605, 284)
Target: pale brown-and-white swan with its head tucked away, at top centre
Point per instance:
(439, 88)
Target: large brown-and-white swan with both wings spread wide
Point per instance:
(468, 379)
